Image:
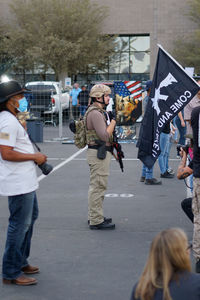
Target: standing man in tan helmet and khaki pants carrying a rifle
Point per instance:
(99, 132)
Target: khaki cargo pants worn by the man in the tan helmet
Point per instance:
(99, 171)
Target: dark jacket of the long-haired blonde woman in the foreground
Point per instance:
(186, 288)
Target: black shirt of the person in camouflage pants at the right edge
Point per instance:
(196, 148)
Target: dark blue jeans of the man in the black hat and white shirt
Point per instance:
(23, 213)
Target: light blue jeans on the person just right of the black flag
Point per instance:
(164, 147)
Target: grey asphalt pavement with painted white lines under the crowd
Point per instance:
(77, 263)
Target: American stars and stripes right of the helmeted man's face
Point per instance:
(128, 88)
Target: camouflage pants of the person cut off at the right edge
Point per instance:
(196, 212)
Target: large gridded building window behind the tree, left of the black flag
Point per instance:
(131, 60)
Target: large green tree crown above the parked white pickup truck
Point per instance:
(64, 35)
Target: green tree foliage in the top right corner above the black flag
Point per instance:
(187, 51)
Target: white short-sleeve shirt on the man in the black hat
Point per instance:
(16, 177)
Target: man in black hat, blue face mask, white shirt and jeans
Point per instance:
(18, 181)
